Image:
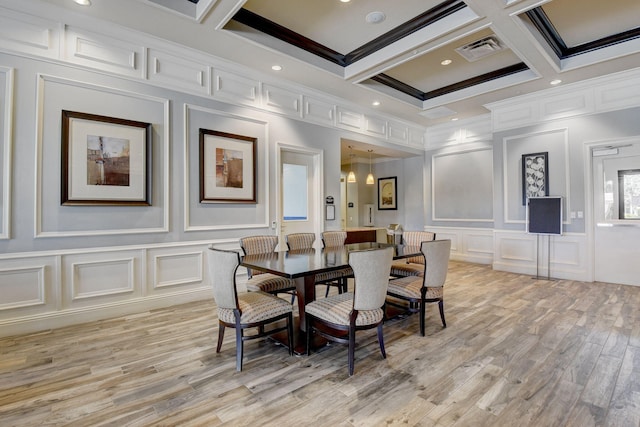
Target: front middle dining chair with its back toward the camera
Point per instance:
(361, 309)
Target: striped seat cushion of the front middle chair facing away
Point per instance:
(336, 309)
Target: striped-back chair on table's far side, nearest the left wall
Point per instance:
(261, 281)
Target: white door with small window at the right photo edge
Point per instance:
(616, 181)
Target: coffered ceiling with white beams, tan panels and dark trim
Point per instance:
(392, 51)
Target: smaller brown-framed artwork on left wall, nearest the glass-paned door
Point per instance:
(227, 167)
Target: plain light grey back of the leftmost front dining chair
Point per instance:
(222, 270)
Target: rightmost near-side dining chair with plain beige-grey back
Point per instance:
(428, 288)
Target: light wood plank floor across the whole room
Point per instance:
(516, 352)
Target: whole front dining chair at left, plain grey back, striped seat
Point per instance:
(247, 310)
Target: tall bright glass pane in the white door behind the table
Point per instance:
(294, 192)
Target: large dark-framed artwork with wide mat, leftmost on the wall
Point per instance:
(105, 160)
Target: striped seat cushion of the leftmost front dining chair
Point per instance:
(256, 307)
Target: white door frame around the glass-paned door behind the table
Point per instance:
(317, 185)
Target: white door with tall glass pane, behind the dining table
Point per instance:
(299, 194)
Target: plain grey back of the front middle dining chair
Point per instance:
(371, 270)
